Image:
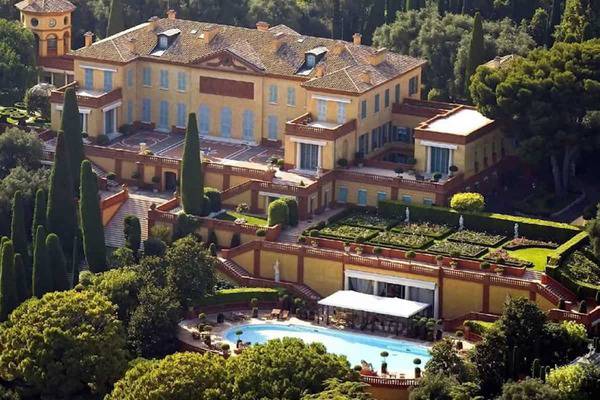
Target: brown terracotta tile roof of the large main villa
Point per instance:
(343, 69)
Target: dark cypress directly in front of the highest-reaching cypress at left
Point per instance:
(61, 217)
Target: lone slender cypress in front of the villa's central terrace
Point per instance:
(192, 184)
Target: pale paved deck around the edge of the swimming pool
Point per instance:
(186, 327)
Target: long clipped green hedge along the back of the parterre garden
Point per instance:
(492, 223)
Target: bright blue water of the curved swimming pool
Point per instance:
(354, 346)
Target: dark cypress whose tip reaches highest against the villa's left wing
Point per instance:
(71, 126)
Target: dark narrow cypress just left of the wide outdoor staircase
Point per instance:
(91, 219)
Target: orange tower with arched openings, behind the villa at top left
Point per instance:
(50, 22)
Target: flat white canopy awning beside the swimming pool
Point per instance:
(374, 304)
